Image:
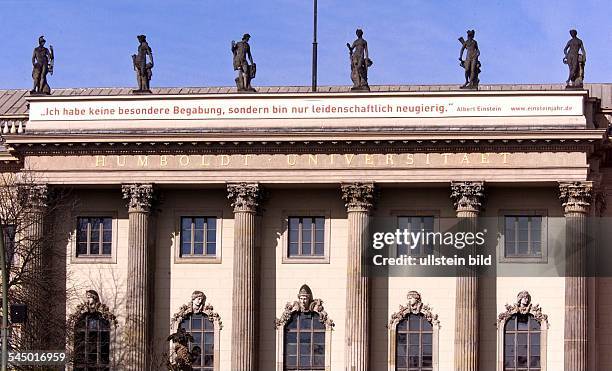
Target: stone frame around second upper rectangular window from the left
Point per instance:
(179, 214)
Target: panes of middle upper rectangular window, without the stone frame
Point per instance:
(306, 236)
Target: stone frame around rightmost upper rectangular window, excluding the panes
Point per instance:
(501, 240)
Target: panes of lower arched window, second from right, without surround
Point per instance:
(414, 344)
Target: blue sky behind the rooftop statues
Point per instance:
(410, 41)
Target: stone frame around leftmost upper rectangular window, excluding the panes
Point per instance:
(93, 259)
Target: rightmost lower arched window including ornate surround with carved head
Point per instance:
(522, 333)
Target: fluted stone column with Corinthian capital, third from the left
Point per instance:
(245, 199)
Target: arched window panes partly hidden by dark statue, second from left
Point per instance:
(203, 331)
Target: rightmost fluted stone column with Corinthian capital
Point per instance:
(576, 200)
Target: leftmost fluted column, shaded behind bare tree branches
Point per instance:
(34, 198)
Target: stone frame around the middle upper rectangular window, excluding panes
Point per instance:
(297, 213)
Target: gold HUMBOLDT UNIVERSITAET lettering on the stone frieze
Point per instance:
(318, 161)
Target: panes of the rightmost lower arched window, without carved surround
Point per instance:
(522, 342)
